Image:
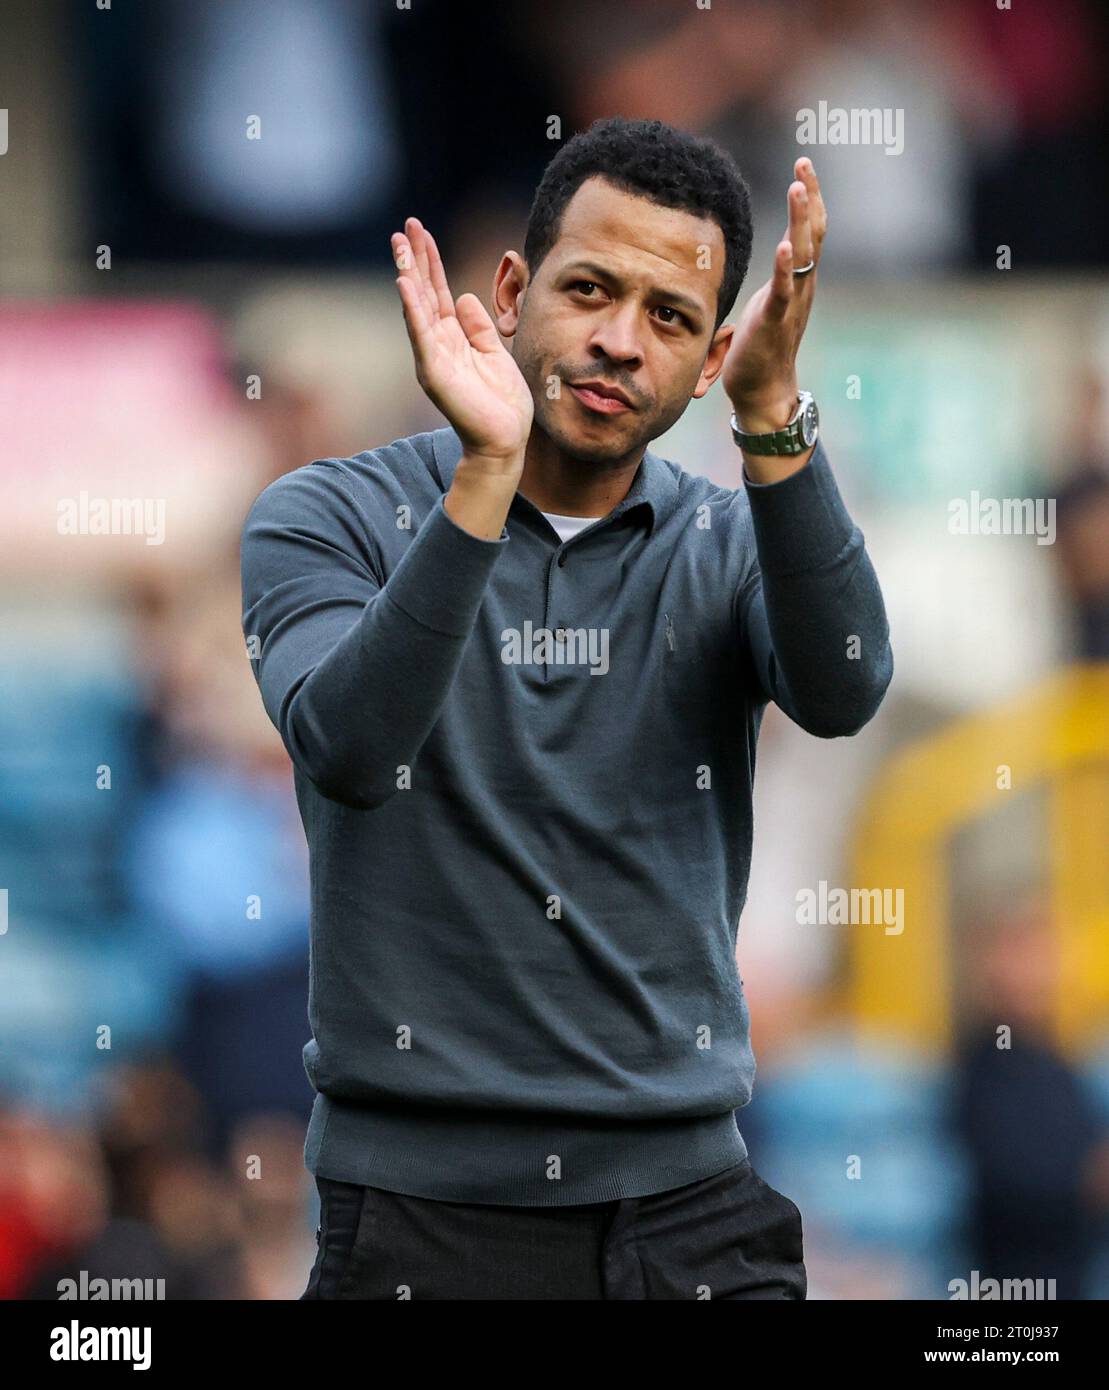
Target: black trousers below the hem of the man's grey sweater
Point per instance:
(729, 1236)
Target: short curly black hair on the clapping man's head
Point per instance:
(654, 161)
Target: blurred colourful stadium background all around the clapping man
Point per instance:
(187, 315)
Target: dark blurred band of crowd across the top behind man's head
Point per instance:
(1004, 119)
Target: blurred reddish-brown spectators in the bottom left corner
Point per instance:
(133, 1193)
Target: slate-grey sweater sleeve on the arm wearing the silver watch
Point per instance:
(811, 608)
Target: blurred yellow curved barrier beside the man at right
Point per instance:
(1054, 736)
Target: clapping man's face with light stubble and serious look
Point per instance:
(625, 300)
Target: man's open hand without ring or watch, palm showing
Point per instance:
(461, 362)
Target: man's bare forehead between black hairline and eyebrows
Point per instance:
(637, 236)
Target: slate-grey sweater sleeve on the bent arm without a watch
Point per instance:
(354, 671)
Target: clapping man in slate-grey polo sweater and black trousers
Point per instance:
(520, 667)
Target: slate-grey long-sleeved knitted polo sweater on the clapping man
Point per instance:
(525, 771)
